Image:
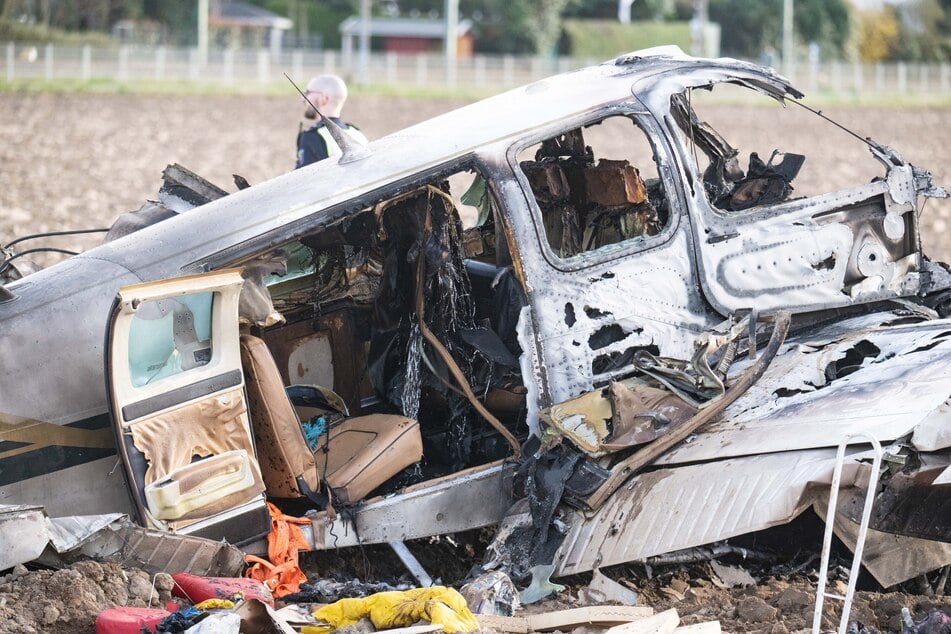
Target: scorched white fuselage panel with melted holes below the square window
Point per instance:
(664, 320)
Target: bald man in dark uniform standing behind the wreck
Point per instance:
(328, 93)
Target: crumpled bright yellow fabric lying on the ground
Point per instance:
(387, 610)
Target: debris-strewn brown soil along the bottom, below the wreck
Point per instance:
(683, 598)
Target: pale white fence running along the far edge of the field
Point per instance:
(243, 66)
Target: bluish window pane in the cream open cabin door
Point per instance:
(170, 336)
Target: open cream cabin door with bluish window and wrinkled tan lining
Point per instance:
(179, 410)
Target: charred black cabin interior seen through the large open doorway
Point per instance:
(401, 311)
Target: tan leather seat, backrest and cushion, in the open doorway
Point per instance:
(355, 456)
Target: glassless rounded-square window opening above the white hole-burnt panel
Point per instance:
(596, 186)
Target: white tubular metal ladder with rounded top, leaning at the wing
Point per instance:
(821, 593)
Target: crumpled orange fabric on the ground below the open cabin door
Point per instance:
(282, 574)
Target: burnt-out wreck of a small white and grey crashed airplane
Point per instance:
(637, 343)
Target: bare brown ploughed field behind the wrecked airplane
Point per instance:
(77, 161)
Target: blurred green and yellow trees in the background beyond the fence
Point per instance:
(914, 30)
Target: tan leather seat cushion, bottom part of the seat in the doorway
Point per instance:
(364, 452)
